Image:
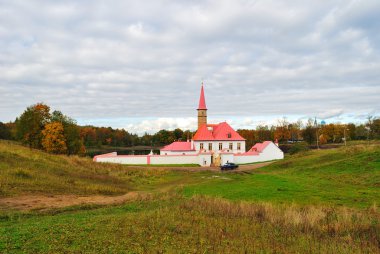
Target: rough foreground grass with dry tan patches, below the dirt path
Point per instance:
(203, 225)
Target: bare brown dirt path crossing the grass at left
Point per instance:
(35, 202)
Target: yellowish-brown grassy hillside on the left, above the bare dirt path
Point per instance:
(25, 171)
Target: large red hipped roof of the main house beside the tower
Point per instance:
(221, 131)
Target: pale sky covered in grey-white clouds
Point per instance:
(139, 65)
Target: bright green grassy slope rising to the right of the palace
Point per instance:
(344, 176)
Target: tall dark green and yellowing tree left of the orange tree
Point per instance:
(31, 123)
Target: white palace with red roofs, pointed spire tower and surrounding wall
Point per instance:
(212, 145)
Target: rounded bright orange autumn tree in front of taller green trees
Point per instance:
(53, 139)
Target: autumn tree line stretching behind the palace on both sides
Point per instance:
(54, 132)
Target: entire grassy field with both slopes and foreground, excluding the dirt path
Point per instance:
(316, 202)
